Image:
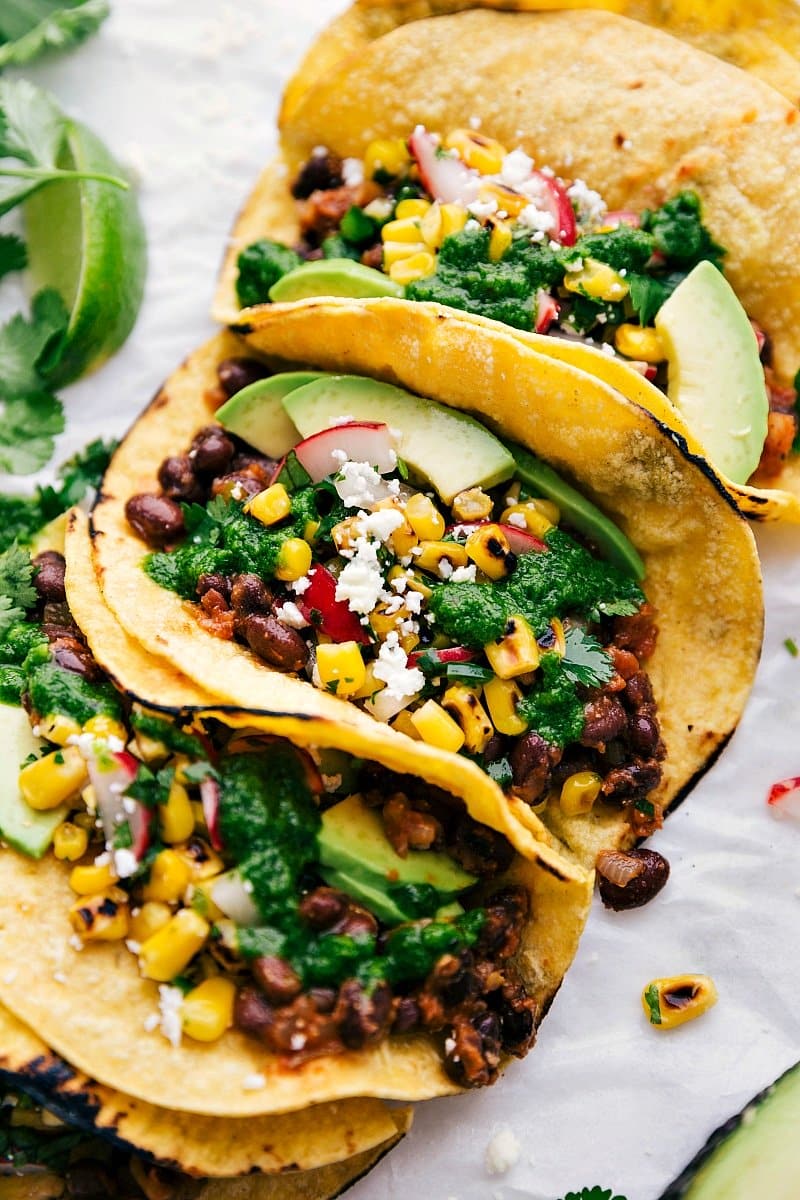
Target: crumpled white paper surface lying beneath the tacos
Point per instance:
(187, 93)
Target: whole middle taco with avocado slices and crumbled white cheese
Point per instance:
(540, 675)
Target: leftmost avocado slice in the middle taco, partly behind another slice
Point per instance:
(257, 415)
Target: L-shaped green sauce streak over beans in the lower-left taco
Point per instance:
(270, 824)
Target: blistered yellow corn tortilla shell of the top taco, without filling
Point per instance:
(671, 119)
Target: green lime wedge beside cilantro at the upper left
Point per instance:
(87, 241)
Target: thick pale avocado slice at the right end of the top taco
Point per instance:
(717, 379)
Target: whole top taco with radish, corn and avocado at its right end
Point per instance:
(615, 242)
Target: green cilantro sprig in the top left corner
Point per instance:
(33, 27)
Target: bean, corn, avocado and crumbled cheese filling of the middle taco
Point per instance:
(425, 572)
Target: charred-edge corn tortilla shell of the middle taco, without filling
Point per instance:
(694, 543)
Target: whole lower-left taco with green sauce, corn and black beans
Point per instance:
(248, 922)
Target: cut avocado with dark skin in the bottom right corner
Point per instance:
(756, 1154)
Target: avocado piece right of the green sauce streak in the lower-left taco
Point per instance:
(357, 856)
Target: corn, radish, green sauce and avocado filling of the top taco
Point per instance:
(462, 223)
